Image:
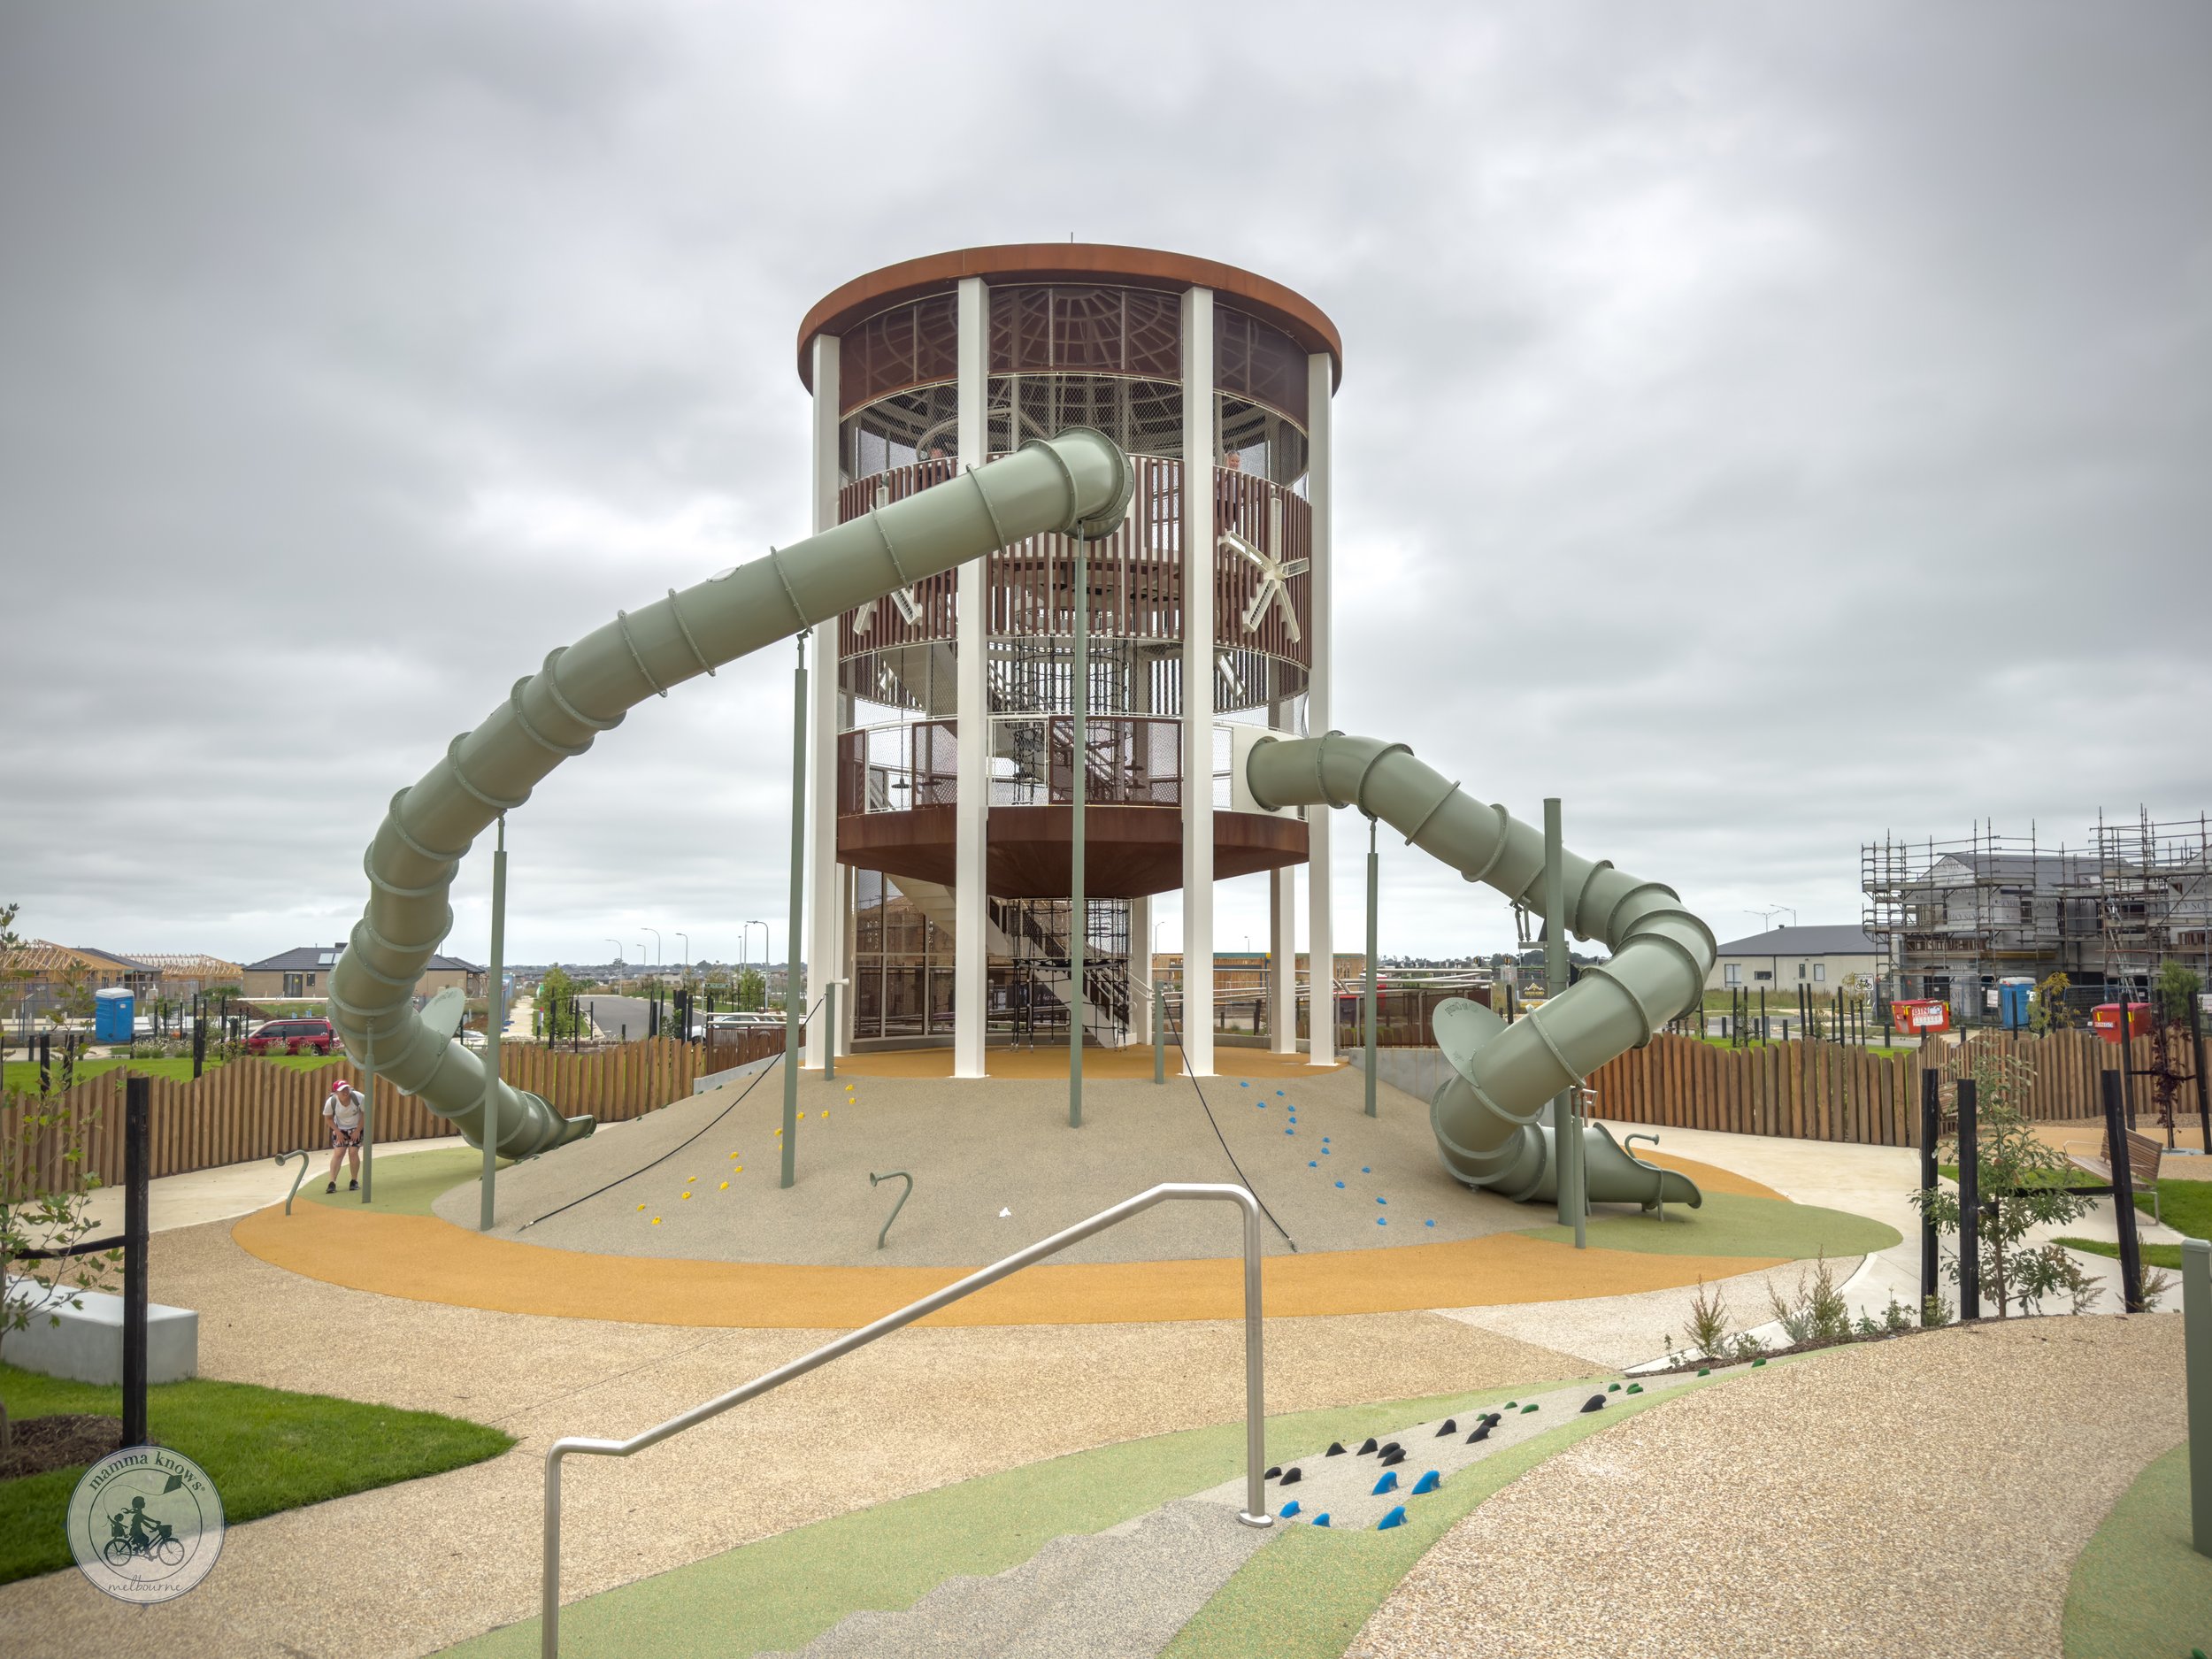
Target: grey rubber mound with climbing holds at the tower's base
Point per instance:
(997, 1167)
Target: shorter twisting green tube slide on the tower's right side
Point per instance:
(1490, 1118)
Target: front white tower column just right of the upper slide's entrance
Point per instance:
(1200, 680)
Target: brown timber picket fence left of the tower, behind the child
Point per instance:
(253, 1109)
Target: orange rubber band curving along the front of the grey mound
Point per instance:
(430, 1260)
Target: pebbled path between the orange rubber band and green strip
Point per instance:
(439, 1561)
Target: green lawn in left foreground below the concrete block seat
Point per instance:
(267, 1452)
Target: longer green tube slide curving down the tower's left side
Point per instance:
(1078, 483)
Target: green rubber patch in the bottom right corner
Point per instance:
(2138, 1589)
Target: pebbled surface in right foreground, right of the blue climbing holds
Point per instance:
(1899, 1499)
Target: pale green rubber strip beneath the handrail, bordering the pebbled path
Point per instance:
(784, 1592)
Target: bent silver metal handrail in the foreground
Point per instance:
(1253, 1514)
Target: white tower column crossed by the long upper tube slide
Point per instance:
(972, 952)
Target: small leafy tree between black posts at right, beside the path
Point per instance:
(2012, 1160)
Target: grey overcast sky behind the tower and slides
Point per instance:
(1764, 426)
